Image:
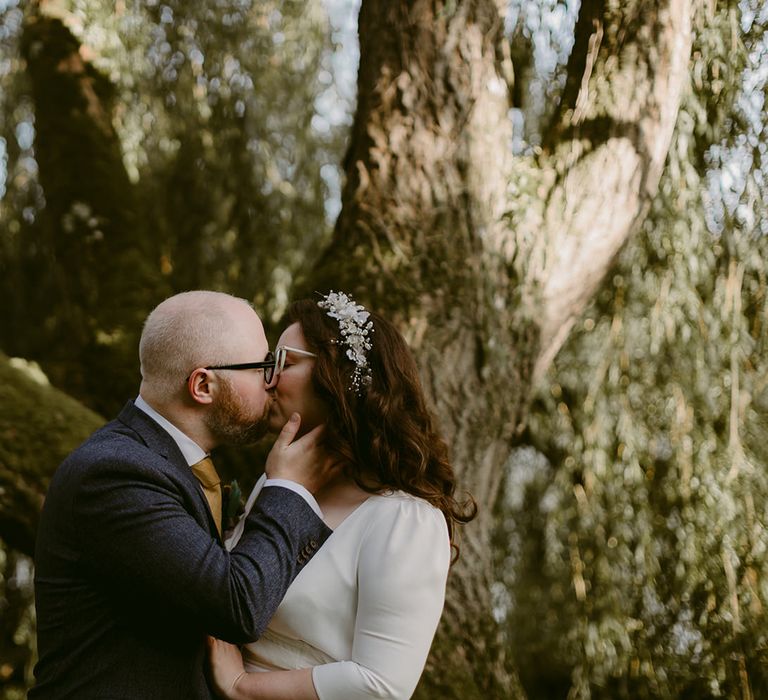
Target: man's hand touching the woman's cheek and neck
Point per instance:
(302, 460)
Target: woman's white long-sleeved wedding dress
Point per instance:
(363, 612)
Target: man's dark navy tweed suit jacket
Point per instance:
(130, 574)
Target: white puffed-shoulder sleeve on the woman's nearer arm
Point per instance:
(402, 571)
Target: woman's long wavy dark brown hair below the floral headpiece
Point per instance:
(385, 435)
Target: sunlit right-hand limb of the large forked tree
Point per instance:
(604, 192)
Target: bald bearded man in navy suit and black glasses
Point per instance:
(130, 570)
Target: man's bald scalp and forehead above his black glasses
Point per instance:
(195, 329)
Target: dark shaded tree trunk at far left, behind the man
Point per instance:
(98, 272)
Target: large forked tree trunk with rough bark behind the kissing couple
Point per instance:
(485, 259)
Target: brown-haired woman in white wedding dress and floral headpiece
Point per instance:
(359, 619)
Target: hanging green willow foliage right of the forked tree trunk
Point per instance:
(633, 542)
